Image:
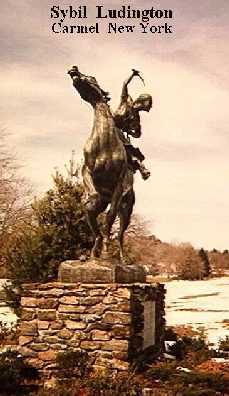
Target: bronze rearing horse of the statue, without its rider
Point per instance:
(107, 178)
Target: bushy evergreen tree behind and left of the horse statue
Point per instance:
(58, 231)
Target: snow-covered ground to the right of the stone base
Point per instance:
(200, 304)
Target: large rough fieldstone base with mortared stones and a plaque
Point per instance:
(112, 322)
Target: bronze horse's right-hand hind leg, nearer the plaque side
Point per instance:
(125, 211)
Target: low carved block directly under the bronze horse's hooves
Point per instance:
(100, 271)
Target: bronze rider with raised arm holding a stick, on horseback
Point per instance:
(127, 120)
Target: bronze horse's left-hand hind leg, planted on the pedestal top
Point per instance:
(94, 207)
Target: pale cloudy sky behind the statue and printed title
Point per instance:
(185, 136)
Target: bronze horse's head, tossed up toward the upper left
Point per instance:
(88, 87)
